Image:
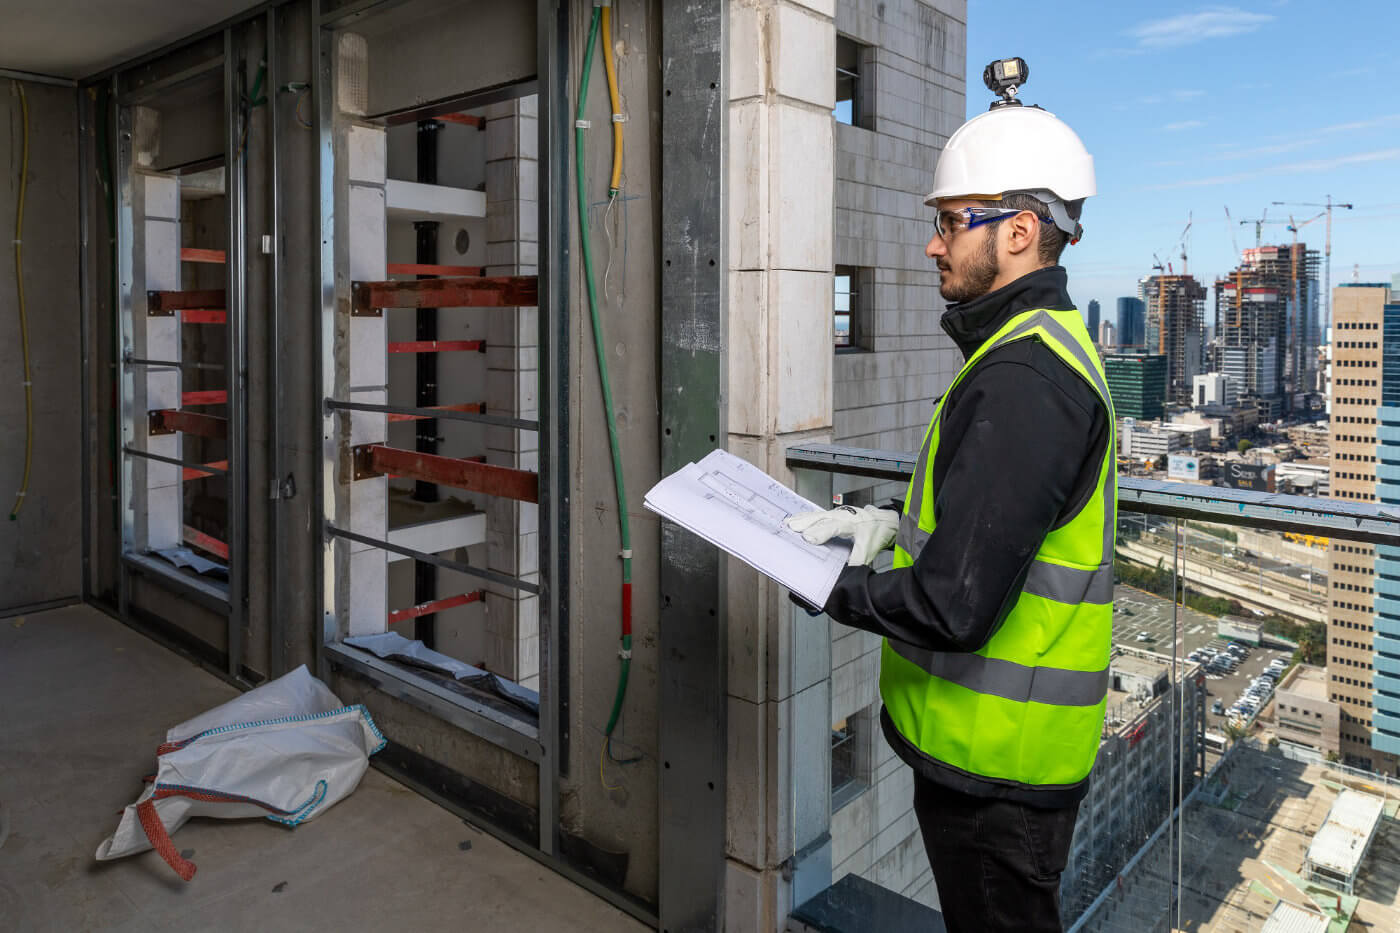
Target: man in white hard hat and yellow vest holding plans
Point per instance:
(997, 611)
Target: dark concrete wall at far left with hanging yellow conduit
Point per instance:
(41, 550)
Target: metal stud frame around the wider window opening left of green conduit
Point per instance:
(545, 745)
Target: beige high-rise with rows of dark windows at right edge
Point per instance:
(1359, 354)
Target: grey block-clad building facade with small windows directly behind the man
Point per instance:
(885, 390)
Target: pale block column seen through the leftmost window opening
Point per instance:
(156, 488)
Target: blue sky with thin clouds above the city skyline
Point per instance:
(1191, 109)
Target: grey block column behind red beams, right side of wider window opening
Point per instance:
(513, 385)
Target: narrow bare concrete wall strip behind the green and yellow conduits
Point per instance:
(612, 805)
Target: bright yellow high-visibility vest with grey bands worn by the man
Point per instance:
(1028, 707)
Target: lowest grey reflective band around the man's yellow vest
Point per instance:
(1051, 686)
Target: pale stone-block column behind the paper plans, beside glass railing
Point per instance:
(782, 90)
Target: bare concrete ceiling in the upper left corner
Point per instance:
(79, 39)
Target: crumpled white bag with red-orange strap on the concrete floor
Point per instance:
(288, 752)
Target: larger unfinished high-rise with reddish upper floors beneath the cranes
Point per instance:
(1266, 323)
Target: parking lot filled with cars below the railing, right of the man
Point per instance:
(1137, 613)
